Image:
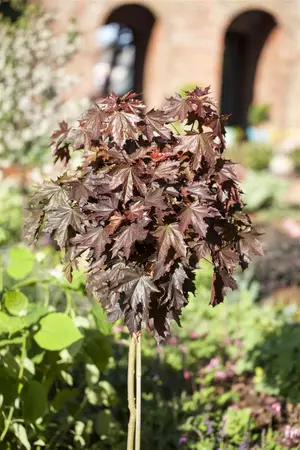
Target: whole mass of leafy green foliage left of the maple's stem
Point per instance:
(52, 394)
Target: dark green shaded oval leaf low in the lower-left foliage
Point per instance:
(34, 396)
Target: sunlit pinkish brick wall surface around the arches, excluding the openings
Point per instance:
(187, 45)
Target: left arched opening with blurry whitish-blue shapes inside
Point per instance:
(123, 42)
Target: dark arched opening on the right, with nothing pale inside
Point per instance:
(244, 40)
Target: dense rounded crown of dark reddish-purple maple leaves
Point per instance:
(146, 205)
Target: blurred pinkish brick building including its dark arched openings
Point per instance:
(247, 50)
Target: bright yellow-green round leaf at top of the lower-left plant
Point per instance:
(21, 262)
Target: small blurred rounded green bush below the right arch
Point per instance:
(252, 155)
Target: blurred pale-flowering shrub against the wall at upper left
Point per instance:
(33, 81)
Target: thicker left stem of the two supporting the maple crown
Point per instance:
(130, 393)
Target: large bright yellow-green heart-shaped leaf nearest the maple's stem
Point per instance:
(57, 332)
